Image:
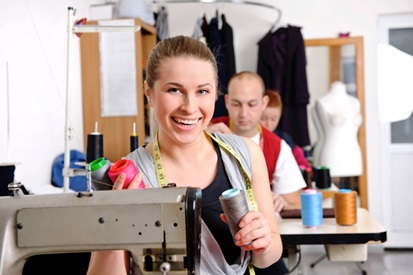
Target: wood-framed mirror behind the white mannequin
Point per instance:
(338, 59)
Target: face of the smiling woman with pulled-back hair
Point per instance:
(183, 97)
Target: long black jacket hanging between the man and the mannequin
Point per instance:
(282, 65)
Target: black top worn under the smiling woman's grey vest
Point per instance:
(211, 209)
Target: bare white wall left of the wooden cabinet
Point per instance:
(33, 44)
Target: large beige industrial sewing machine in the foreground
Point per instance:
(160, 227)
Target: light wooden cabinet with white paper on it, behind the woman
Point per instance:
(116, 130)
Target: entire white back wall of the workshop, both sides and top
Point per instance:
(33, 42)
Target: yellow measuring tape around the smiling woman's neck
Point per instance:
(161, 177)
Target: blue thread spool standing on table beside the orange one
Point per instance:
(311, 208)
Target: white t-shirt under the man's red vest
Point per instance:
(287, 177)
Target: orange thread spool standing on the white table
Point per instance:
(345, 207)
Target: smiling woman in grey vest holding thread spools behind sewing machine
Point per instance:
(181, 88)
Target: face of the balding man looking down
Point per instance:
(245, 103)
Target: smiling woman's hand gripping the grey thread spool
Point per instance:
(255, 232)
